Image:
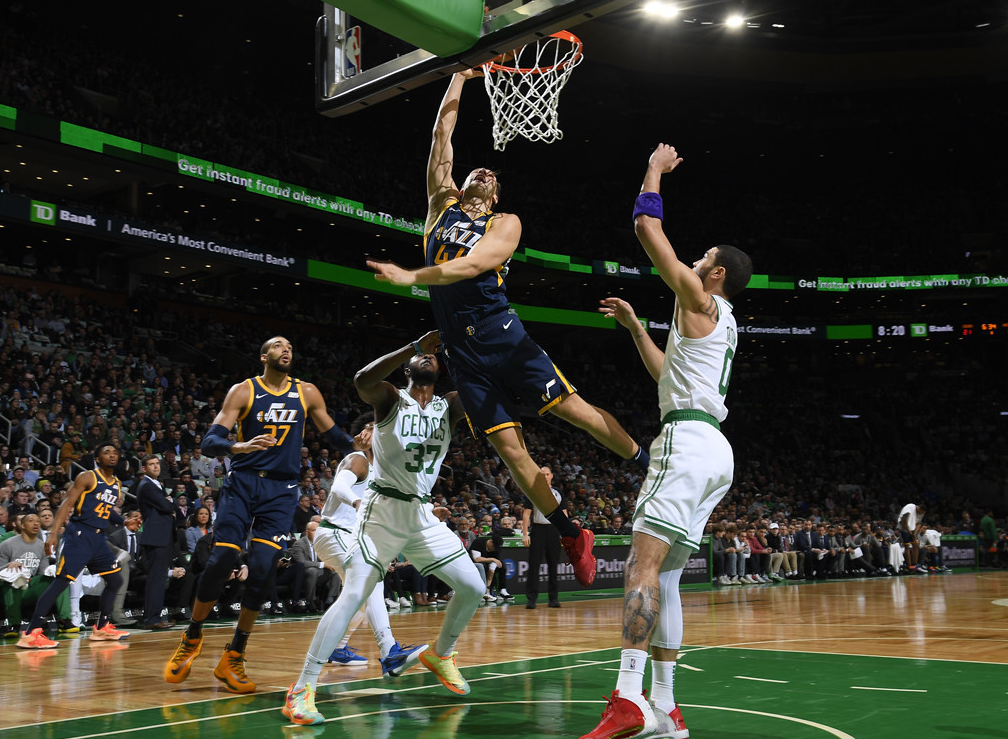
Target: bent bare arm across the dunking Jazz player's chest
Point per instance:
(493, 251)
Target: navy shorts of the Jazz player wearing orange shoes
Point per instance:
(258, 506)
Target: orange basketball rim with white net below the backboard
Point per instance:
(525, 88)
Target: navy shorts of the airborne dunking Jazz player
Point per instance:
(498, 369)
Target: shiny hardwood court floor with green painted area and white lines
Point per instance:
(921, 657)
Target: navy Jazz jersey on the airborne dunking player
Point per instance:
(470, 302)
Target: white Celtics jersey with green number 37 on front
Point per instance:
(410, 445)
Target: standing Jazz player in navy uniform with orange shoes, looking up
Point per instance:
(259, 499)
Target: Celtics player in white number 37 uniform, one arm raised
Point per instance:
(411, 440)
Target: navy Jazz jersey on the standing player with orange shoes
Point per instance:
(282, 416)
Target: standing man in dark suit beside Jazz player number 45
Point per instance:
(159, 541)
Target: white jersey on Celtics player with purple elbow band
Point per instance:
(696, 372)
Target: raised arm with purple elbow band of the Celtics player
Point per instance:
(649, 213)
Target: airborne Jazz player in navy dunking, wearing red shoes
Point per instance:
(495, 364)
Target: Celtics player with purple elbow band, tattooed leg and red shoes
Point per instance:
(692, 462)
